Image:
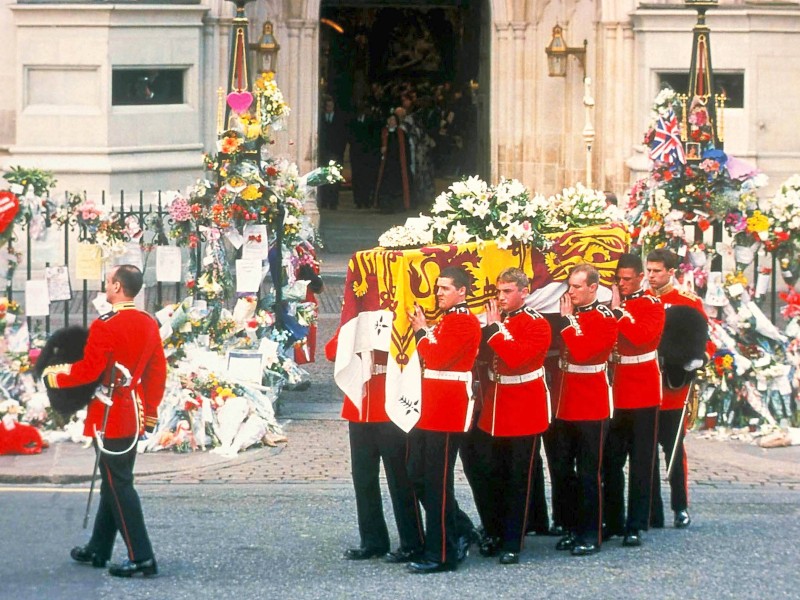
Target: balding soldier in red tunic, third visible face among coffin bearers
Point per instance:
(589, 333)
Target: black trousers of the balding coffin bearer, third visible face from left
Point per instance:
(577, 459)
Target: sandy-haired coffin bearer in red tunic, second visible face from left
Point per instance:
(516, 410)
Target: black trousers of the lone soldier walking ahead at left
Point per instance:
(120, 509)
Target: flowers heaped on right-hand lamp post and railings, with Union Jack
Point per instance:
(692, 187)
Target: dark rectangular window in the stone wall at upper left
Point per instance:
(147, 86)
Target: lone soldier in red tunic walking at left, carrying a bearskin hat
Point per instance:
(124, 339)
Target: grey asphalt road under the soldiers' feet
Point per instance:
(285, 541)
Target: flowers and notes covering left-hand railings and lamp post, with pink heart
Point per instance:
(248, 201)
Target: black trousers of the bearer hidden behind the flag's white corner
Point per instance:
(369, 444)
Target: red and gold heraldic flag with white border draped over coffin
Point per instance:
(383, 285)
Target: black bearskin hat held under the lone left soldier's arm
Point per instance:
(65, 346)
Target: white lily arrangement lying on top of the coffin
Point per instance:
(471, 210)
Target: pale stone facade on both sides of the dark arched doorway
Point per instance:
(61, 117)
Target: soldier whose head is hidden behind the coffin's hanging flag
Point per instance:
(374, 438)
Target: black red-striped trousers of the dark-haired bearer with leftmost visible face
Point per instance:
(431, 464)
